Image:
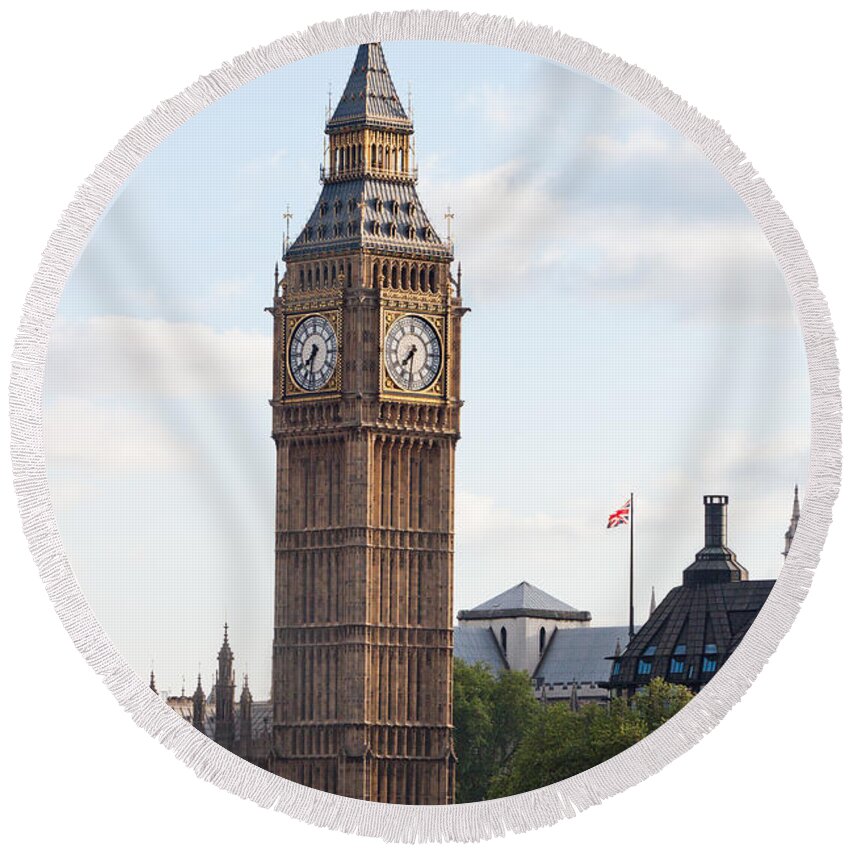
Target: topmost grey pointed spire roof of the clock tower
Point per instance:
(370, 97)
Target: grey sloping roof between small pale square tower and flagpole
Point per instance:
(580, 655)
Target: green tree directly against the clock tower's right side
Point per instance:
(492, 714)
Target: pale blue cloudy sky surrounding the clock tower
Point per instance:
(661, 354)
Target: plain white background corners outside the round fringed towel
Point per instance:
(76, 78)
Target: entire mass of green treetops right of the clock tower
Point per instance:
(508, 743)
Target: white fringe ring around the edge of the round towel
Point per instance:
(474, 821)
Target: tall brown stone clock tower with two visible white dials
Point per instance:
(366, 411)
